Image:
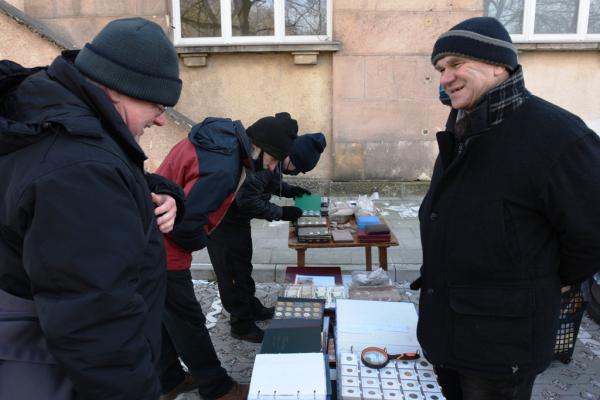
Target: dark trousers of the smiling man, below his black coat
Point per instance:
(465, 386)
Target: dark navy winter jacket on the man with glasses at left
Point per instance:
(78, 234)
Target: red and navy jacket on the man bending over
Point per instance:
(209, 166)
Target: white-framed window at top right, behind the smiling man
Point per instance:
(548, 20)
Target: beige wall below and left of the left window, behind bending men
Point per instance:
(244, 86)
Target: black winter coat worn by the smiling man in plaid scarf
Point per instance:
(510, 216)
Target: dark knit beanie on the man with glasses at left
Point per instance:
(135, 57)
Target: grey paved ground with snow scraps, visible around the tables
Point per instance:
(578, 380)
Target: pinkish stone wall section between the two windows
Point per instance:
(385, 106)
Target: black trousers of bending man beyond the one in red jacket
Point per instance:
(230, 250)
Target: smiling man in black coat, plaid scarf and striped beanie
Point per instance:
(509, 218)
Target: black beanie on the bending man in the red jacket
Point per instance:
(274, 135)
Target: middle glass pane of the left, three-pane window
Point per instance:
(252, 17)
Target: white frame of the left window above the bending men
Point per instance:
(227, 38)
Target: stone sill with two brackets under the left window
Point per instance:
(303, 54)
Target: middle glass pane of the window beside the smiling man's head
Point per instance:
(556, 16)
